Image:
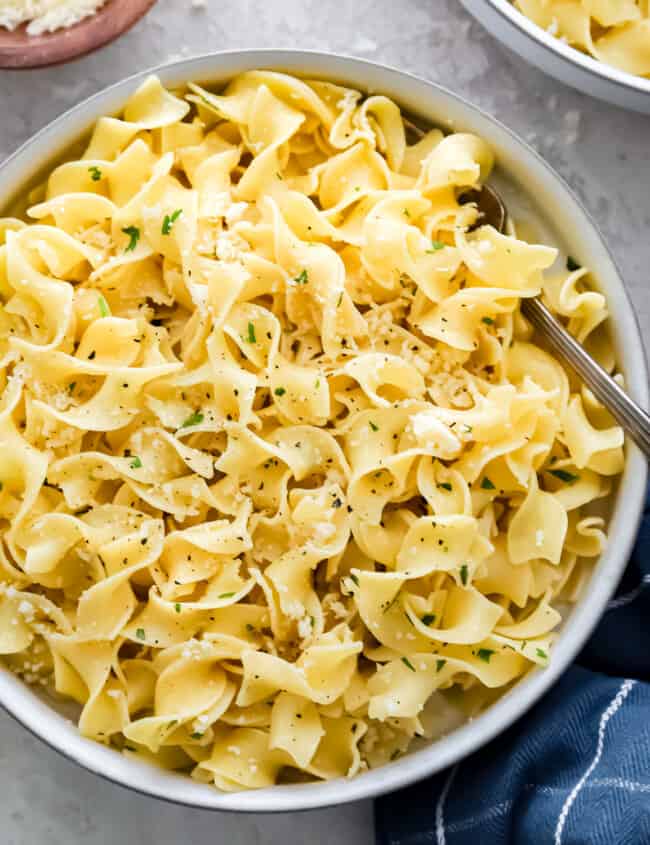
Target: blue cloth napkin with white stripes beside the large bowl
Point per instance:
(575, 770)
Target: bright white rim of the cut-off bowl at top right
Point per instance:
(568, 54)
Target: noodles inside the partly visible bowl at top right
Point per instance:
(616, 32)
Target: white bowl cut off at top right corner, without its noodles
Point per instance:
(571, 66)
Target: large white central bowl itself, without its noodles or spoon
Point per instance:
(555, 210)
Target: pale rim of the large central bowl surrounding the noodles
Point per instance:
(45, 723)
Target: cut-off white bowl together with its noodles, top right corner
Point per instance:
(602, 49)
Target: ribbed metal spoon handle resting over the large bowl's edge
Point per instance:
(625, 411)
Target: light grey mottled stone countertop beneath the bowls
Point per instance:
(602, 151)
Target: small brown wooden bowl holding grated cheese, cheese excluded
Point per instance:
(19, 50)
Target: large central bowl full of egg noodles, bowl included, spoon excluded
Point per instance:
(291, 481)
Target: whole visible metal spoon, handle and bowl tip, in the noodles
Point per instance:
(630, 416)
